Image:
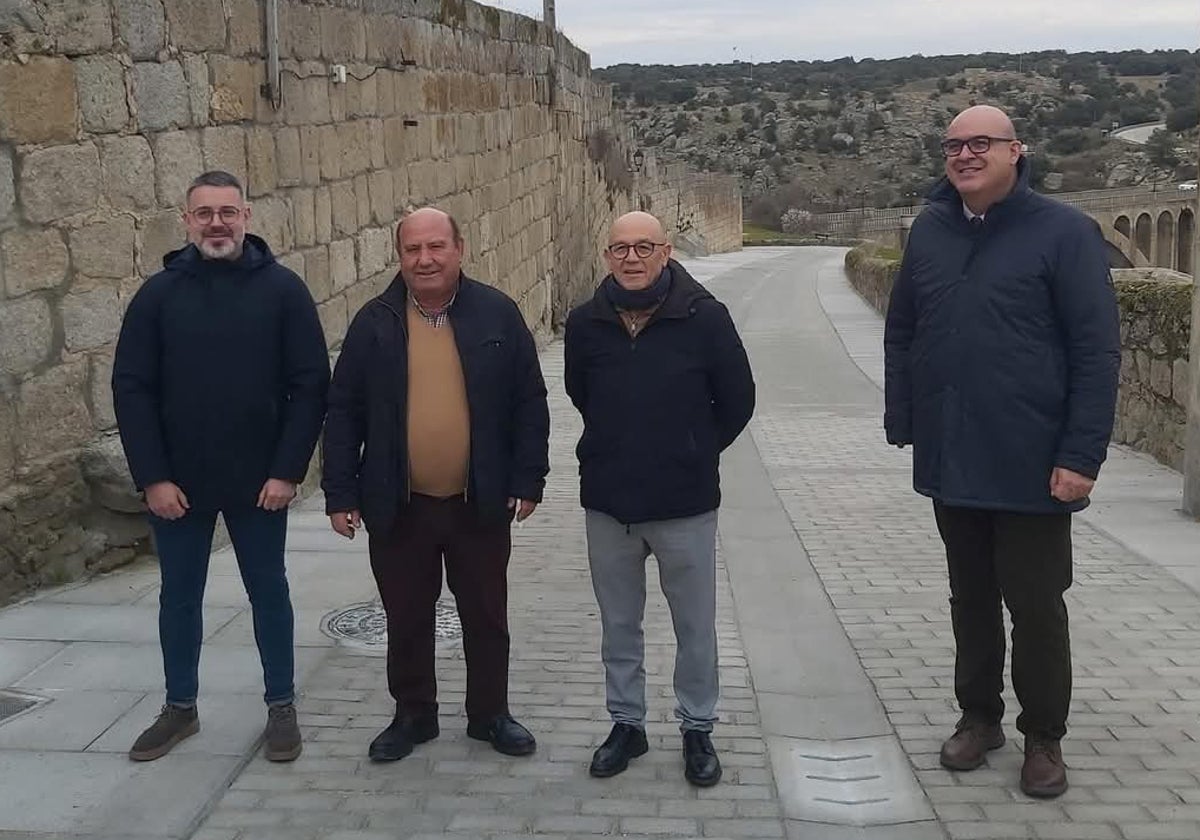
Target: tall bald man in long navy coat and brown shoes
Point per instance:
(1001, 355)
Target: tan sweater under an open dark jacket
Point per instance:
(439, 415)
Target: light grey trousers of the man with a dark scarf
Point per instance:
(687, 555)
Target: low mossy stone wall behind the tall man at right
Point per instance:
(1156, 319)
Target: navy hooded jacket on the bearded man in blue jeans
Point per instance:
(220, 377)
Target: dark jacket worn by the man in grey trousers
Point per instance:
(658, 410)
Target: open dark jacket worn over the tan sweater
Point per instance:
(367, 437)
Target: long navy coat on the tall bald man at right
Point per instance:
(1003, 351)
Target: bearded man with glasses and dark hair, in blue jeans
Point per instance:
(219, 386)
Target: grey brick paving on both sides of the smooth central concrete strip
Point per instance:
(1135, 741)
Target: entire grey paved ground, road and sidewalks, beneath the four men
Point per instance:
(836, 645)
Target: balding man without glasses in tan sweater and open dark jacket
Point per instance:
(437, 440)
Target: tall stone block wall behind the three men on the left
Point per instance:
(110, 107)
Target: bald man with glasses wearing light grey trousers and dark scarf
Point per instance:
(658, 371)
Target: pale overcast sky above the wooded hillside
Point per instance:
(697, 32)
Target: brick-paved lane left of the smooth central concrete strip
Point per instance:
(457, 788)
